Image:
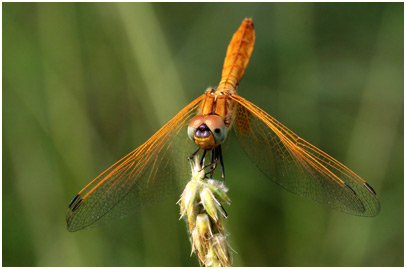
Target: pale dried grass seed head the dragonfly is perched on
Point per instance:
(201, 202)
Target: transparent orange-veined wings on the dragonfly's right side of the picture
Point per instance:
(299, 166)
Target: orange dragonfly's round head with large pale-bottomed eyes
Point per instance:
(207, 131)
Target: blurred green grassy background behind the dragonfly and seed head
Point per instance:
(84, 84)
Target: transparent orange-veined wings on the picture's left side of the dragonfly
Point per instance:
(152, 172)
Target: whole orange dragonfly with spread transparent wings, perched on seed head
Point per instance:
(156, 169)
